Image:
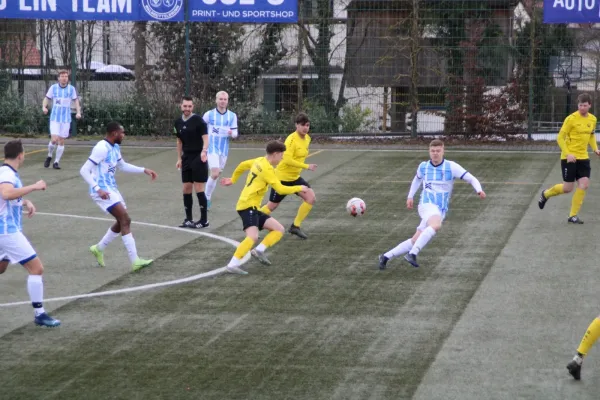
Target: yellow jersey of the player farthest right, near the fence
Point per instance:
(575, 135)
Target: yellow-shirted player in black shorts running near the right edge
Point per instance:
(574, 137)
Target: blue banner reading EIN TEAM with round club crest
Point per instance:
(102, 10)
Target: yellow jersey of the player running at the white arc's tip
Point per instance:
(261, 176)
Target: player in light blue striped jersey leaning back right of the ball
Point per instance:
(436, 177)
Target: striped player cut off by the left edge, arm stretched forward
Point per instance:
(14, 246)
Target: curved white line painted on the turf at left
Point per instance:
(192, 278)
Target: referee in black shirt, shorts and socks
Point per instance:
(192, 145)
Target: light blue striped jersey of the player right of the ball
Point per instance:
(438, 182)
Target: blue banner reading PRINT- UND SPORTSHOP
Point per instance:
(246, 11)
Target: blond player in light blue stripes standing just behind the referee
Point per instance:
(222, 125)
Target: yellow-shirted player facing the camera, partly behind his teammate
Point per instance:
(288, 171)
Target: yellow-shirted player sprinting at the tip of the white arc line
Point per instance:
(260, 177)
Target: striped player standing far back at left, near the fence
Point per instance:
(61, 94)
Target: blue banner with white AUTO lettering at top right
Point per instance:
(567, 11)
